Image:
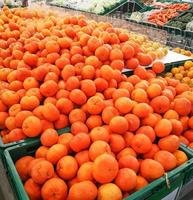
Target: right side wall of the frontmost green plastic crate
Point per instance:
(168, 187)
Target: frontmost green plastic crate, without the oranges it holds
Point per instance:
(156, 190)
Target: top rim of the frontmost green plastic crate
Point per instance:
(17, 184)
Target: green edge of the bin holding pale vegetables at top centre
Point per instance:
(106, 12)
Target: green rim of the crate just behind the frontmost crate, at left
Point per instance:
(27, 140)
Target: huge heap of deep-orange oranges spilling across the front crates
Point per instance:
(65, 71)
